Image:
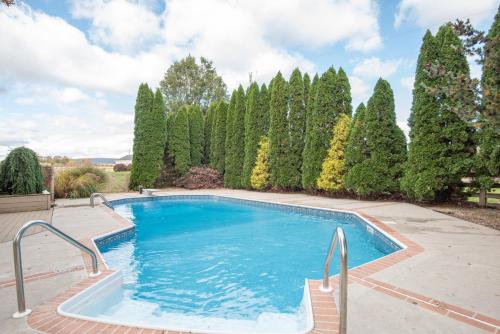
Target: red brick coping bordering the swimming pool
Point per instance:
(45, 317)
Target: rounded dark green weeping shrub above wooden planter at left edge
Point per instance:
(21, 173)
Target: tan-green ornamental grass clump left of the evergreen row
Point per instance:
(79, 182)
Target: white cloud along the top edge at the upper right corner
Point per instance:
(430, 14)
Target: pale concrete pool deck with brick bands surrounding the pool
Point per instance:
(447, 281)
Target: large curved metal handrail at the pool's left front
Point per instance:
(18, 263)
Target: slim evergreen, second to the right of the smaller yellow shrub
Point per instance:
(297, 126)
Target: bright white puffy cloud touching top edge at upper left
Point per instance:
(120, 24)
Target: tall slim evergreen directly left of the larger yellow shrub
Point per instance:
(321, 124)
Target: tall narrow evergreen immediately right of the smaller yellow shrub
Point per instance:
(279, 138)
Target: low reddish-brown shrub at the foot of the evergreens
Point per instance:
(200, 178)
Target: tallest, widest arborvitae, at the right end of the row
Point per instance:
(441, 145)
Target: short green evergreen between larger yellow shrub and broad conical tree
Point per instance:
(356, 149)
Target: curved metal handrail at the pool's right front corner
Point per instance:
(338, 237)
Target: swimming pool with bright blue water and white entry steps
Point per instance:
(218, 264)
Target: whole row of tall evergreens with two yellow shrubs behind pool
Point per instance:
(303, 135)
